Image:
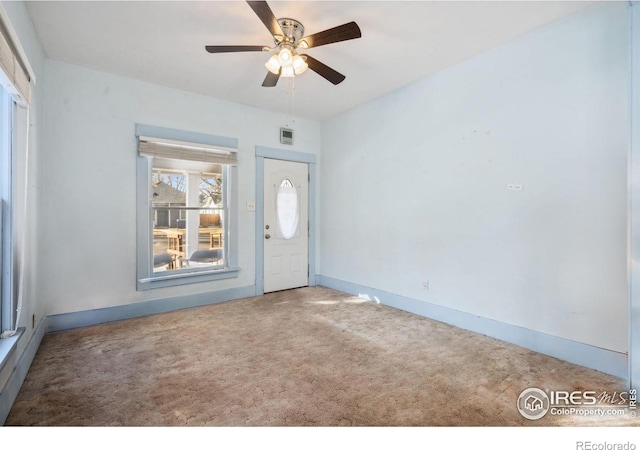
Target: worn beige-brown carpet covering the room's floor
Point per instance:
(305, 357)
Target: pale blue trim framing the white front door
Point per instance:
(263, 153)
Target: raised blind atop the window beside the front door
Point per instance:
(189, 151)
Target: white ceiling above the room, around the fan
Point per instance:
(163, 42)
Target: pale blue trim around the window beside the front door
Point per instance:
(146, 278)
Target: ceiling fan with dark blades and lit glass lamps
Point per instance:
(288, 36)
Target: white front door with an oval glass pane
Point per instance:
(286, 225)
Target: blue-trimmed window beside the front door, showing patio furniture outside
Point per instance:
(186, 208)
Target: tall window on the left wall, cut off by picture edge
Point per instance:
(16, 77)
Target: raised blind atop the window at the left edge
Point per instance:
(17, 73)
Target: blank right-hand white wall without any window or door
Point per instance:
(413, 184)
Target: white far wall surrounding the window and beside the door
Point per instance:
(88, 210)
